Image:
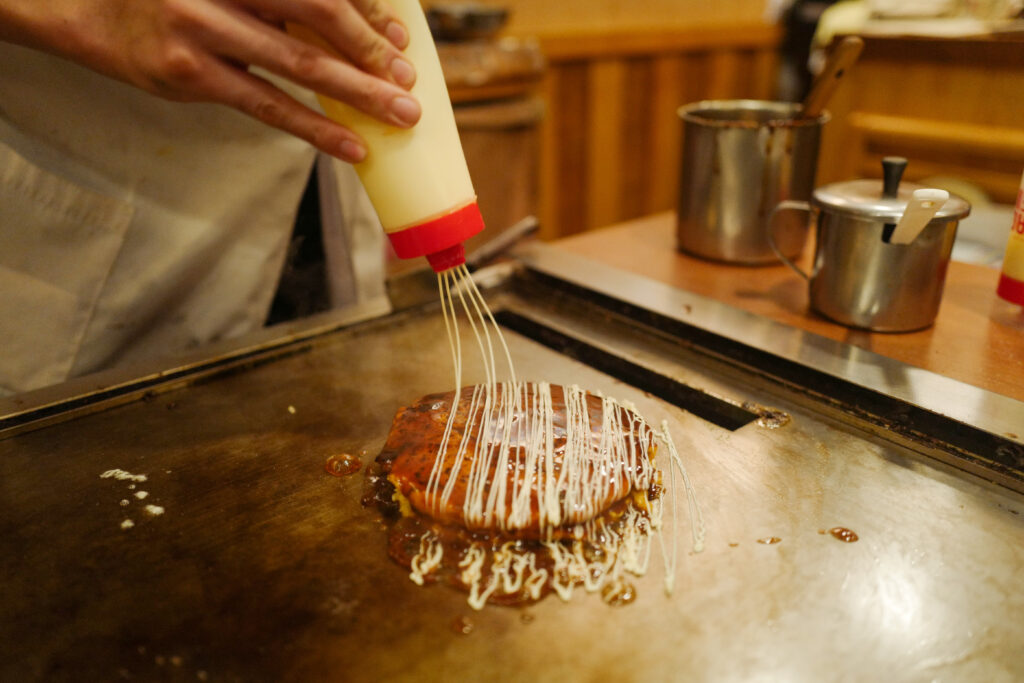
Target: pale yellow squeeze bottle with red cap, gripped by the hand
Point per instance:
(417, 179)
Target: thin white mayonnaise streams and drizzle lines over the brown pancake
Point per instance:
(599, 460)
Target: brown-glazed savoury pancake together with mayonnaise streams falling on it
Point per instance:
(513, 490)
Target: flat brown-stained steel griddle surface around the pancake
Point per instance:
(265, 568)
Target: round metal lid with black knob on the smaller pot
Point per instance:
(864, 199)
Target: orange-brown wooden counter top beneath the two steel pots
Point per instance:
(977, 337)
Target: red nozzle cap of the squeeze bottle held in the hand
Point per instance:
(440, 239)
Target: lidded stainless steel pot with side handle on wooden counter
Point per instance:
(859, 279)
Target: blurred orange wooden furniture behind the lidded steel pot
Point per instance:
(952, 107)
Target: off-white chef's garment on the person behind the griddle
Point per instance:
(134, 228)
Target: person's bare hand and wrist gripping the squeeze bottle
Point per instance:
(201, 51)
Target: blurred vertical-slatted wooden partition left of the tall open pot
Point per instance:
(612, 137)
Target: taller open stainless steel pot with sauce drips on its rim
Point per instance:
(740, 159)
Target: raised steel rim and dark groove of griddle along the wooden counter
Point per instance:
(899, 402)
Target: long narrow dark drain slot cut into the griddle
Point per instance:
(718, 412)
